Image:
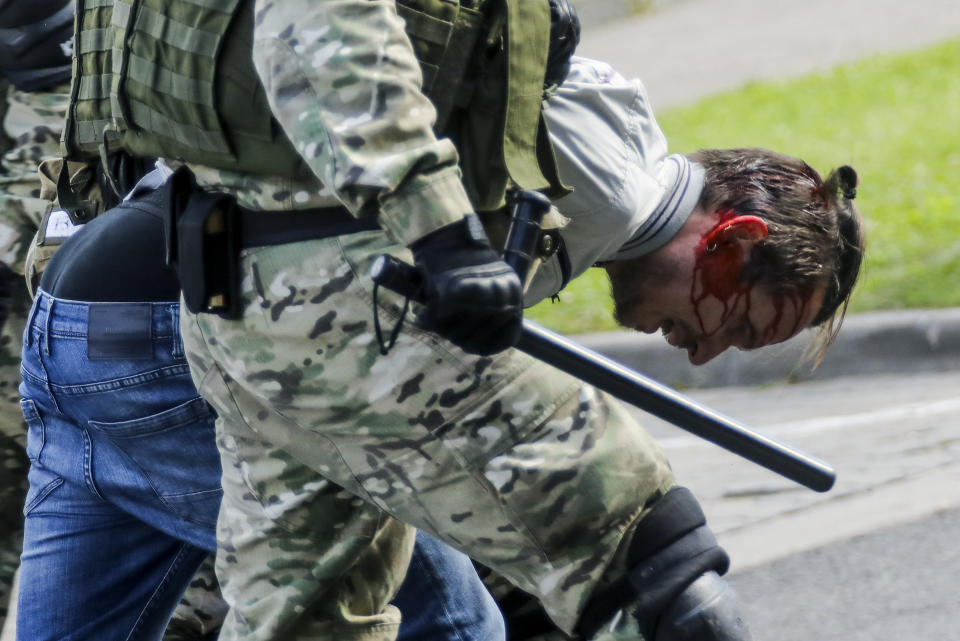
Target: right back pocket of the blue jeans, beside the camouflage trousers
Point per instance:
(175, 451)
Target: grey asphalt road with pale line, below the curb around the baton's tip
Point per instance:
(876, 557)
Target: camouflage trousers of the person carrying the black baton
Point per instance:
(526, 469)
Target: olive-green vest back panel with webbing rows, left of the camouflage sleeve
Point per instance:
(156, 77)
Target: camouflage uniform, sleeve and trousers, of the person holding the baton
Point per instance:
(529, 471)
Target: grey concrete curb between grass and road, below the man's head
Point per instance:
(873, 343)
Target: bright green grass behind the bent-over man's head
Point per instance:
(896, 119)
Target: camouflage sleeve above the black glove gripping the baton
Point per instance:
(343, 82)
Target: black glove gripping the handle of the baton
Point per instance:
(473, 298)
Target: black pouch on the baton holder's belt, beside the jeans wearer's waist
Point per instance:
(207, 248)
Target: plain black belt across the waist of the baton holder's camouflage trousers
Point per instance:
(261, 228)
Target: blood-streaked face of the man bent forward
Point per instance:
(696, 299)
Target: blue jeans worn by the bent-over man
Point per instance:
(125, 486)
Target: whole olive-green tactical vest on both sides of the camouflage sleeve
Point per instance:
(186, 110)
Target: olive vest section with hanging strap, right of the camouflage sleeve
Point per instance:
(483, 64)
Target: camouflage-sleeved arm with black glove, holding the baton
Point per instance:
(343, 82)
